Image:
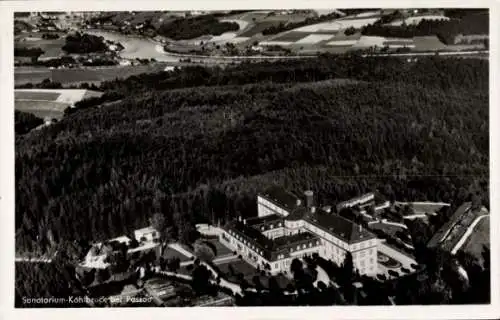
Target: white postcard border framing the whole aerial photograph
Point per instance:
(383, 312)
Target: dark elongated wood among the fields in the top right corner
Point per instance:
(445, 30)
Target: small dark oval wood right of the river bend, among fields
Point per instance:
(192, 27)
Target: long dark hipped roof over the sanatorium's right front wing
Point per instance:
(340, 227)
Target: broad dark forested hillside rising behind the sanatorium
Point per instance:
(203, 153)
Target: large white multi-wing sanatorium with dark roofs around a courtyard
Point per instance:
(289, 227)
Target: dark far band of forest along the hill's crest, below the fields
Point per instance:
(430, 72)
